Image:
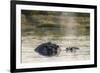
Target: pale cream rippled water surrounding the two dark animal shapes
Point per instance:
(31, 42)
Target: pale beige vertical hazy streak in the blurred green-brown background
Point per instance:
(70, 24)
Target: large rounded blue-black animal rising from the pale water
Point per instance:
(47, 49)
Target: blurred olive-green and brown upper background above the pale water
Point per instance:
(42, 23)
